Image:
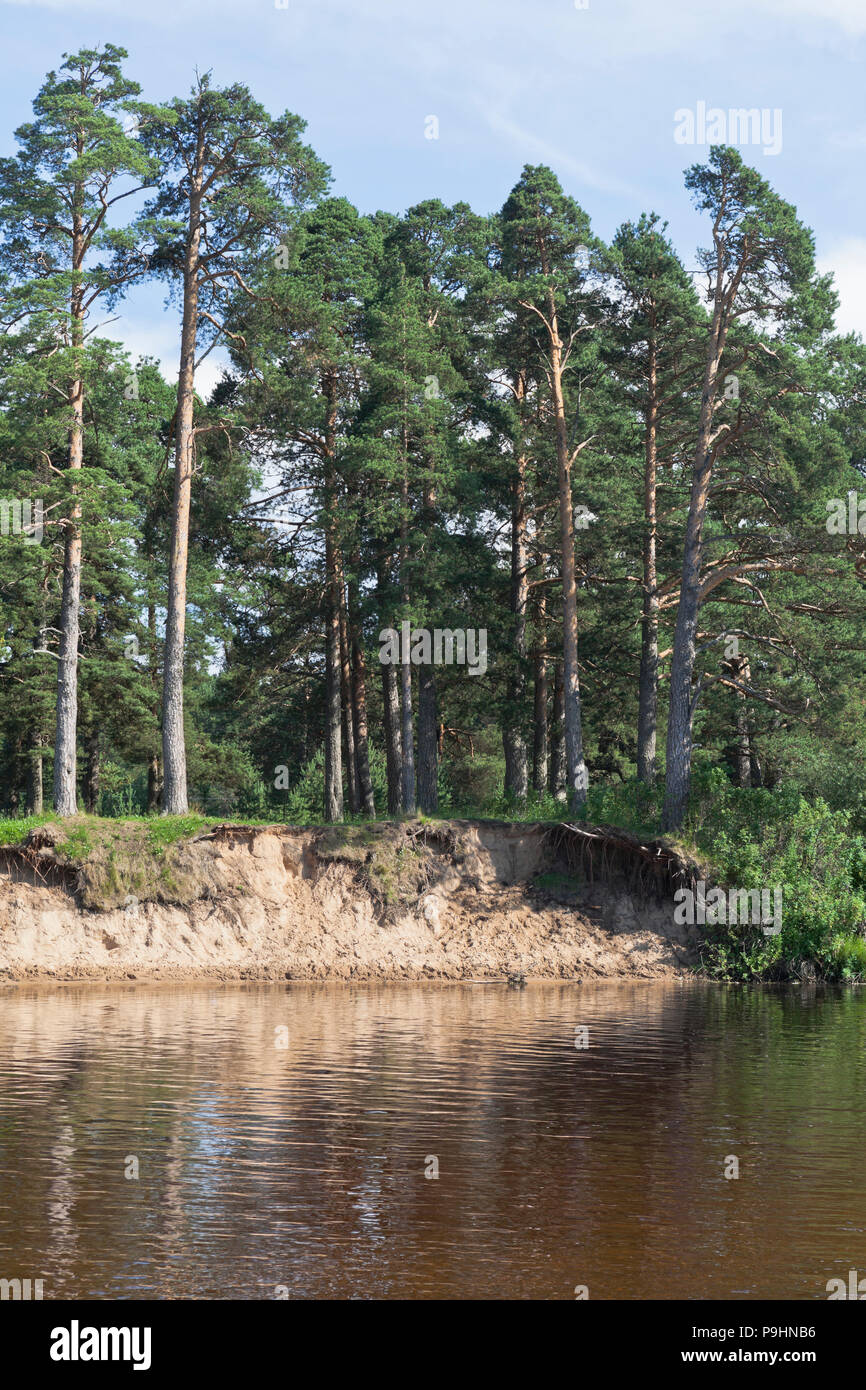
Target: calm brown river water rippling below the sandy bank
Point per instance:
(283, 1139)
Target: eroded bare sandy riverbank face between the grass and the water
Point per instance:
(390, 901)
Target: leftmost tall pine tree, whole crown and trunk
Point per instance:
(74, 165)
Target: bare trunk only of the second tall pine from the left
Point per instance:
(174, 743)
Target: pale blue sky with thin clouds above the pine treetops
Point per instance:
(598, 90)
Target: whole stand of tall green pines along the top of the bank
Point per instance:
(633, 477)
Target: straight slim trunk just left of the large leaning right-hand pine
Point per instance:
(648, 693)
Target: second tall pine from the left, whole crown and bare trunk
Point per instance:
(226, 170)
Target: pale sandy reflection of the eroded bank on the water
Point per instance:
(263, 1035)
